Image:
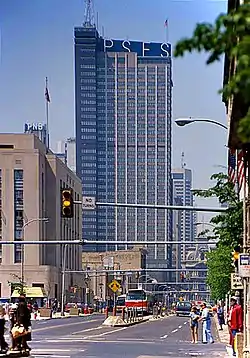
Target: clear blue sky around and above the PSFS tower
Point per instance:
(37, 41)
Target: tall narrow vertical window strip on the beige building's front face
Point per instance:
(18, 212)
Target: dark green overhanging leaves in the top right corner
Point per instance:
(229, 34)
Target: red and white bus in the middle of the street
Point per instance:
(141, 300)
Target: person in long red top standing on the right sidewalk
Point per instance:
(235, 321)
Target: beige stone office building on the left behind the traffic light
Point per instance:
(31, 179)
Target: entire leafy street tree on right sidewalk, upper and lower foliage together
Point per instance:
(228, 228)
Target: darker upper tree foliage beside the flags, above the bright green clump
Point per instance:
(228, 226)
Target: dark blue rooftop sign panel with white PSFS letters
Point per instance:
(143, 49)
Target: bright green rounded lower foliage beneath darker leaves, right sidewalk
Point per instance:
(219, 263)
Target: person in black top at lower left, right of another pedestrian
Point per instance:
(24, 319)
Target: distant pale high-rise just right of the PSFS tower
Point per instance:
(182, 185)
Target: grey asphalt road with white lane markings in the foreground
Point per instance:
(85, 337)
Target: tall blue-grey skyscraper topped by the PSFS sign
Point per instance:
(123, 94)
